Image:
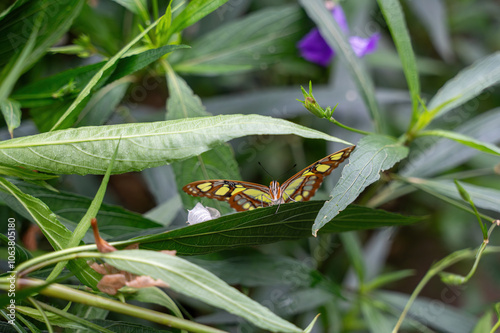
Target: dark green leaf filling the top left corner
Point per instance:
(19, 22)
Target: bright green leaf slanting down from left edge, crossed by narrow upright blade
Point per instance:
(34, 209)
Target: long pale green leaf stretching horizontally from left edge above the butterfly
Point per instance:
(87, 150)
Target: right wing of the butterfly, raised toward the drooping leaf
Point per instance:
(303, 185)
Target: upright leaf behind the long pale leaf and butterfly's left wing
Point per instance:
(217, 163)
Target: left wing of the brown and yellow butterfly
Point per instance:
(240, 195)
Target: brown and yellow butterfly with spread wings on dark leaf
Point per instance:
(244, 196)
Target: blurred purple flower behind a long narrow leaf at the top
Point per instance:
(314, 48)
